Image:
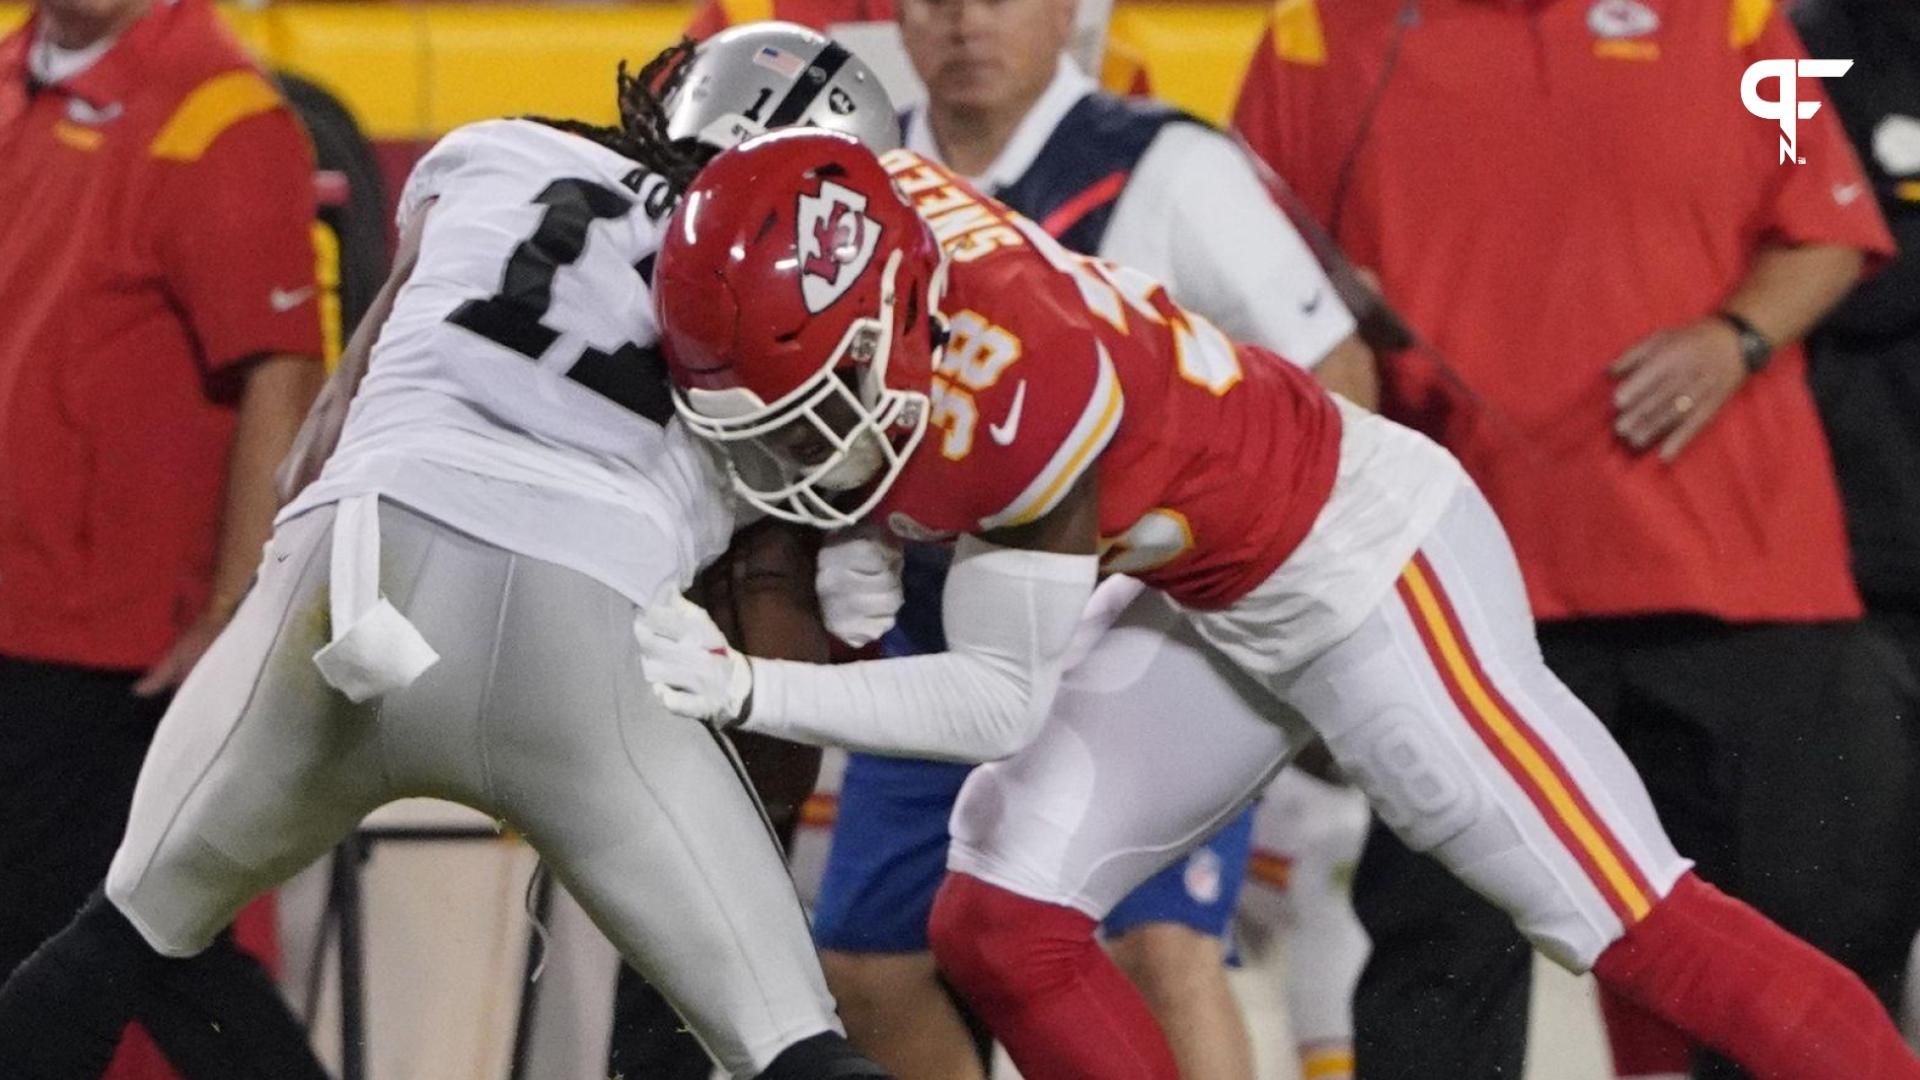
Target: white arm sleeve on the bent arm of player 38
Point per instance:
(1009, 620)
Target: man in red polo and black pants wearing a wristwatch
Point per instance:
(1577, 209)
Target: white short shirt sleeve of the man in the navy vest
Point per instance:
(1197, 216)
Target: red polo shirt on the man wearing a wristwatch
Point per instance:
(1541, 187)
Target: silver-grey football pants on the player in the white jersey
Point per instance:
(537, 714)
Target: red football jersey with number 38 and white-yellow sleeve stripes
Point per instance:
(1214, 458)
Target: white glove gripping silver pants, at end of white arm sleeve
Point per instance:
(690, 666)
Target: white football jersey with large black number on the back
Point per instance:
(516, 391)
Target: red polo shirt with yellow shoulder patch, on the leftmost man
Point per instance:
(155, 235)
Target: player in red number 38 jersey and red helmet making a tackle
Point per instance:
(875, 339)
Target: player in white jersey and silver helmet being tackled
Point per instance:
(448, 608)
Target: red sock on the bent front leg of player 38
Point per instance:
(1045, 989)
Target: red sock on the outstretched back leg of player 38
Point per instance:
(1731, 979)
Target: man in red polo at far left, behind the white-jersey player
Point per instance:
(158, 349)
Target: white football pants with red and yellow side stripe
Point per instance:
(1439, 708)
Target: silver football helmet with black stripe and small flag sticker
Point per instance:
(761, 76)
